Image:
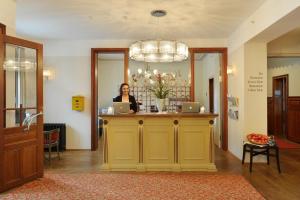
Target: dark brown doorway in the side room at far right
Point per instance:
(280, 95)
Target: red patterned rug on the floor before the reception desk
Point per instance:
(143, 186)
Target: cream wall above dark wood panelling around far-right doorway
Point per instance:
(282, 66)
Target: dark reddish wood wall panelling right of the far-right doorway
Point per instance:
(293, 124)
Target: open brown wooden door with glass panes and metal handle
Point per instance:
(21, 97)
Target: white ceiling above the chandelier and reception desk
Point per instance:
(131, 19)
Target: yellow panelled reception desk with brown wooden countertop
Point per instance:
(158, 142)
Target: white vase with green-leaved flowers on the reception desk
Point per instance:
(161, 91)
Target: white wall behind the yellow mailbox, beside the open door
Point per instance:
(72, 77)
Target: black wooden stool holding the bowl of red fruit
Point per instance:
(255, 150)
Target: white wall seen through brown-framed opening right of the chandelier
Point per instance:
(206, 68)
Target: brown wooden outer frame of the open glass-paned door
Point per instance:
(39, 108)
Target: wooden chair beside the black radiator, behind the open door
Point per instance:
(51, 139)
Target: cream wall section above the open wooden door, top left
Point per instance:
(8, 16)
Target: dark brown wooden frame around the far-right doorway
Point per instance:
(274, 78)
